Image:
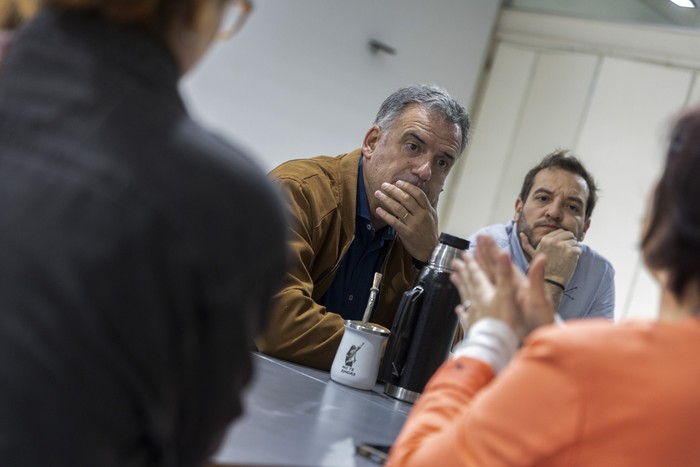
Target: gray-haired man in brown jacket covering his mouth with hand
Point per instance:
(371, 210)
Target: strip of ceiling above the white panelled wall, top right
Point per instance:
(655, 12)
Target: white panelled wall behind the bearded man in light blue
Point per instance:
(607, 91)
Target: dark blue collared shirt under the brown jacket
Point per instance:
(349, 292)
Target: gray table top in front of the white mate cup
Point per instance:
(298, 416)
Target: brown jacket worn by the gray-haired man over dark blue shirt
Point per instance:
(322, 194)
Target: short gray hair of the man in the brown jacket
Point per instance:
(433, 97)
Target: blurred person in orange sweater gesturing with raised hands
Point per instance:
(587, 394)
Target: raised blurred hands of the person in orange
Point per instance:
(496, 288)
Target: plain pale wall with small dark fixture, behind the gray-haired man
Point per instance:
(300, 79)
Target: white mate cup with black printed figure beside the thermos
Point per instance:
(356, 362)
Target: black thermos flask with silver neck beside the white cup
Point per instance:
(424, 326)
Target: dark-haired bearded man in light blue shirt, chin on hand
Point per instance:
(552, 215)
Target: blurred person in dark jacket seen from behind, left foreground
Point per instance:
(139, 252)
